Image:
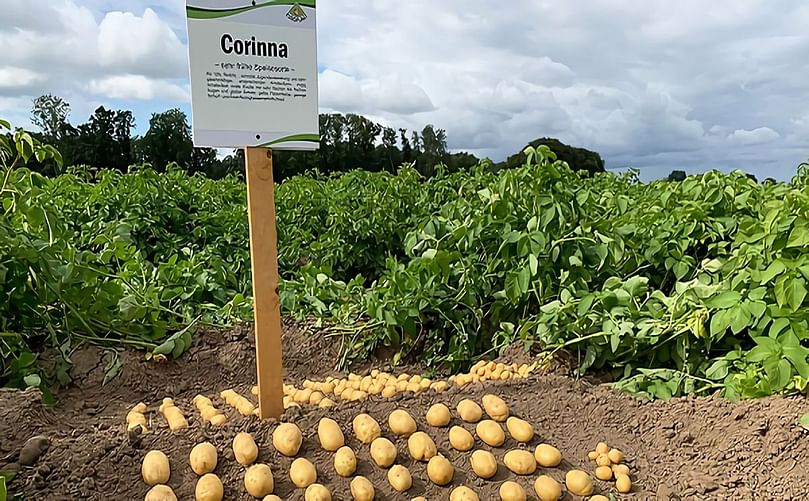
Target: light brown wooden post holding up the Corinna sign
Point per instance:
(264, 261)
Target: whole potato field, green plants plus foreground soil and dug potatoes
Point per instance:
(525, 333)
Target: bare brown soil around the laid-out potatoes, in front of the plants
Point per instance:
(687, 448)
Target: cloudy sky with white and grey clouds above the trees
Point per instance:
(652, 84)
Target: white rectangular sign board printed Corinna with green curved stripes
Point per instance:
(253, 73)
